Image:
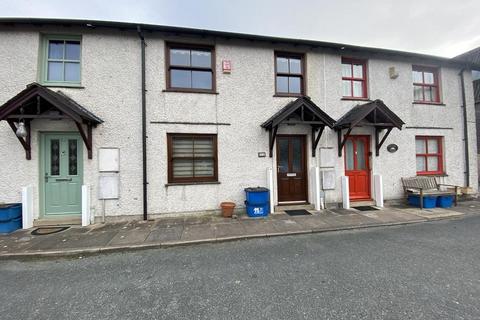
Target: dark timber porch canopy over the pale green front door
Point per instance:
(39, 102)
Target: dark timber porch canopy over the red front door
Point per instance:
(372, 114)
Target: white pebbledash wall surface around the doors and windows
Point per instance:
(111, 89)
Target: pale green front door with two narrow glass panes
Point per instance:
(62, 174)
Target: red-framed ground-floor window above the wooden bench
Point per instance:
(429, 153)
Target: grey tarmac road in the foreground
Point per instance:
(415, 271)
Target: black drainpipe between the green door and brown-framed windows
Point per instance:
(144, 126)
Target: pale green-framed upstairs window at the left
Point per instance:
(61, 60)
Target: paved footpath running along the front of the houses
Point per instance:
(166, 232)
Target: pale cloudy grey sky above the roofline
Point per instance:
(439, 27)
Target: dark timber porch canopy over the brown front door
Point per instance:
(299, 111)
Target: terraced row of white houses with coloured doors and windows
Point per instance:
(124, 120)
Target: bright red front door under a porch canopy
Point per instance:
(357, 166)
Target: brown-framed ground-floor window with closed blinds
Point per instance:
(192, 158)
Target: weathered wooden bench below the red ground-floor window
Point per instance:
(428, 186)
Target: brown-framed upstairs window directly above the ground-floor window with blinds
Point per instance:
(190, 68)
